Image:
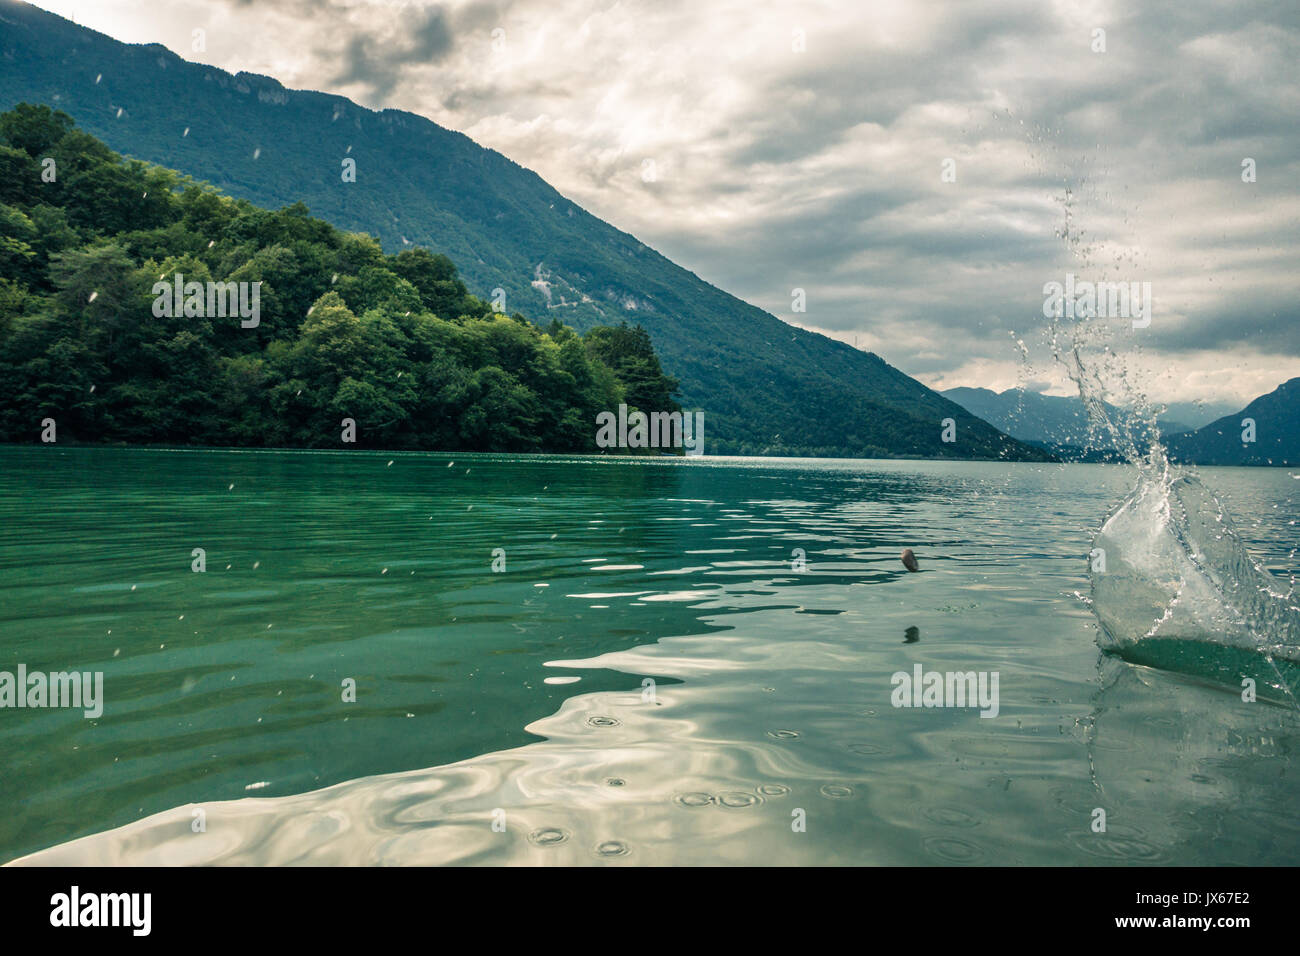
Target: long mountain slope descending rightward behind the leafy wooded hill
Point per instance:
(765, 387)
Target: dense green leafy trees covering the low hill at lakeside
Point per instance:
(344, 331)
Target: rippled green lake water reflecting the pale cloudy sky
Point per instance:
(649, 680)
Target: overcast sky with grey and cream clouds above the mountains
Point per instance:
(803, 145)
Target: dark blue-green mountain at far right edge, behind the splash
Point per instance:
(1277, 434)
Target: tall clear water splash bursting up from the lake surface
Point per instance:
(1173, 583)
